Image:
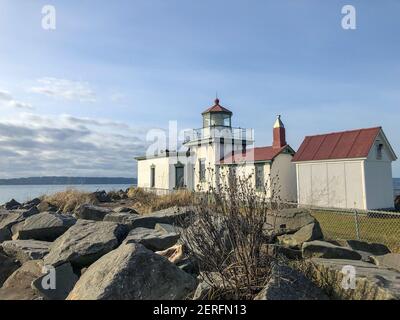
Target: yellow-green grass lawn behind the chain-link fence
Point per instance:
(341, 226)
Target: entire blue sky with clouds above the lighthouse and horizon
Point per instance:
(80, 100)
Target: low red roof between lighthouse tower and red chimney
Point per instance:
(255, 154)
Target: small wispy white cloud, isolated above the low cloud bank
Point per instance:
(64, 89)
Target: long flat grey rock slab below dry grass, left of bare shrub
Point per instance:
(174, 216)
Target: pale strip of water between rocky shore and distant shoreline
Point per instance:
(28, 192)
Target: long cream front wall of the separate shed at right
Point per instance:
(338, 184)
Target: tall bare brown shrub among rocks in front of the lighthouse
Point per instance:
(226, 237)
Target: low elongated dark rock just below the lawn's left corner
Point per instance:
(322, 249)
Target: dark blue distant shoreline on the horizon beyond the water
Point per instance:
(67, 181)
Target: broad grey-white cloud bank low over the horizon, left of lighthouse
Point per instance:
(36, 145)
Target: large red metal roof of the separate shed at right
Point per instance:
(337, 145)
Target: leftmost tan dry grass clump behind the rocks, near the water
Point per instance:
(67, 201)
